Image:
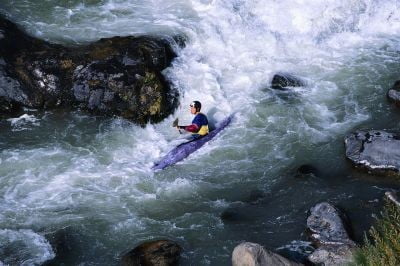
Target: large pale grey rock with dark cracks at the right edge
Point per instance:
(376, 150)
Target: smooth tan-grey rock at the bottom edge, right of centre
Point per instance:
(251, 254)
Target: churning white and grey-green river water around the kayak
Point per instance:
(87, 181)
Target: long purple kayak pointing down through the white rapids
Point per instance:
(185, 149)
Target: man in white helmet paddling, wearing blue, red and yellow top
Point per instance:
(199, 126)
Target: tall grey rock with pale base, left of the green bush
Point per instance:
(329, 234)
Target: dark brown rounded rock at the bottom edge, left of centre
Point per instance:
(155, 253)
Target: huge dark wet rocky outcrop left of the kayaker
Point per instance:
(115, 76)
